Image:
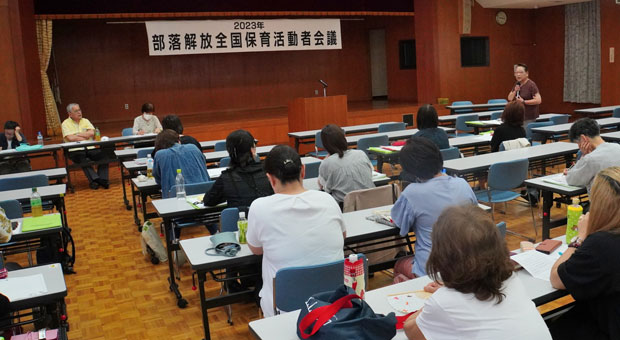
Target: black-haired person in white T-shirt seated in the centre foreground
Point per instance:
(293, 227)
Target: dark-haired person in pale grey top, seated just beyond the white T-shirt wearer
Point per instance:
(343, 170)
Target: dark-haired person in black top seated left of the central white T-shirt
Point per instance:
(244, 180)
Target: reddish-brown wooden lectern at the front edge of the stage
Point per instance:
(316, 112)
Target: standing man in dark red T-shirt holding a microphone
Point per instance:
(525, 91)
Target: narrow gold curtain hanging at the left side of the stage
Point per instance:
(44, 39)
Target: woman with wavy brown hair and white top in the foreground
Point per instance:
(480, 297)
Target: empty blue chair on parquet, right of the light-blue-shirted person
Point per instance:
(503, 177)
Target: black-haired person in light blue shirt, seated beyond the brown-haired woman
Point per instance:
(430, 191)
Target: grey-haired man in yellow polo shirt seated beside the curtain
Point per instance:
(76, 129)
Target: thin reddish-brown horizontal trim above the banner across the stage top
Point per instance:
(219, 14)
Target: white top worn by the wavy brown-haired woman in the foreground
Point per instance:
(449, 314)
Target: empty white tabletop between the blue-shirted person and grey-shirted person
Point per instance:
(468, 165)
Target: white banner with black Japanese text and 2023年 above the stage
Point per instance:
(226, 36)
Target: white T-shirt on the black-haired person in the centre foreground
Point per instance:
(294, 230)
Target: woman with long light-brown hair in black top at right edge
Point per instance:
(590, 270)
